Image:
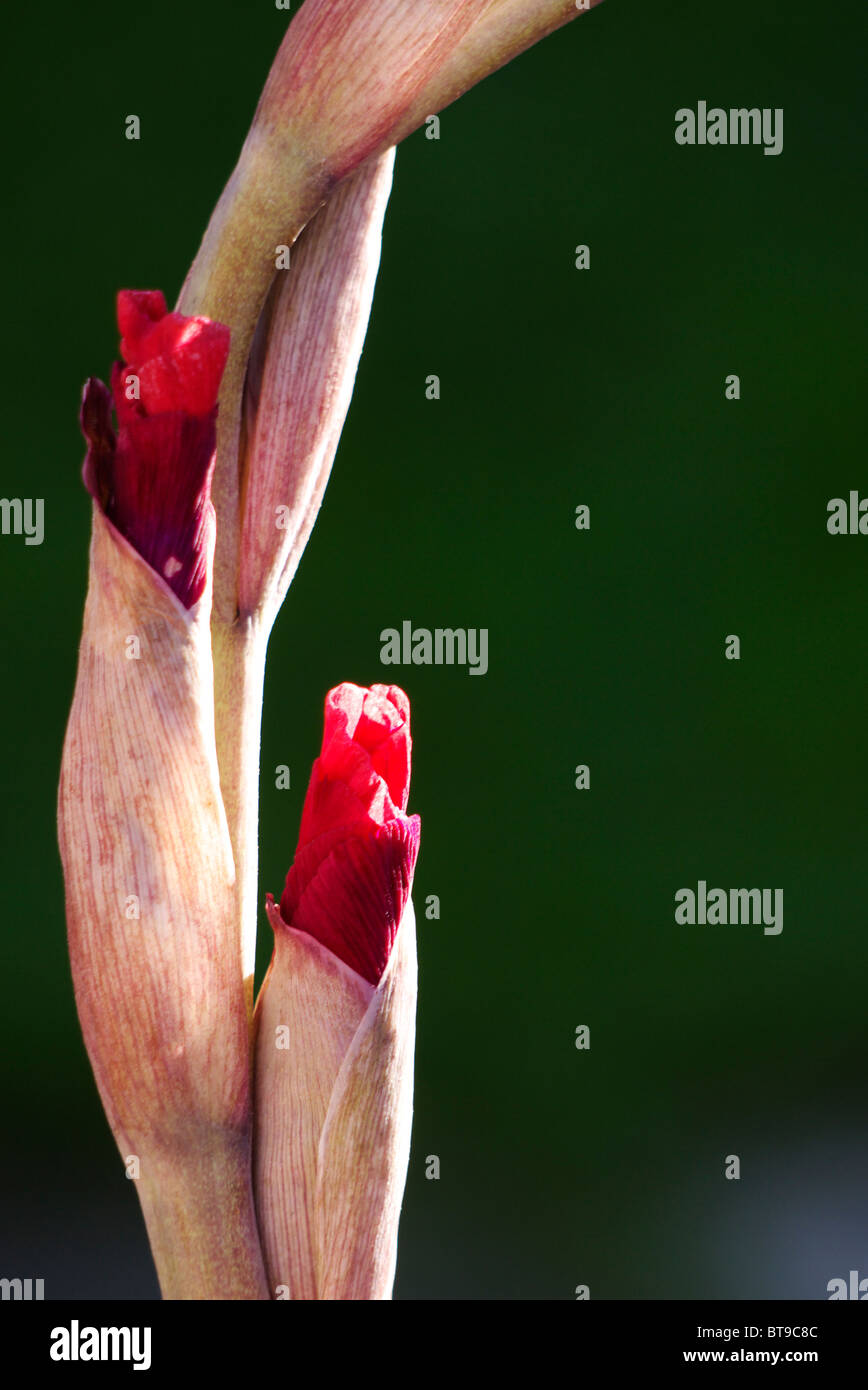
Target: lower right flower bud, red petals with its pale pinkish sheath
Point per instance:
(336, 1017)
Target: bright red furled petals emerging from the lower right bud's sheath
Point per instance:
(354, 868)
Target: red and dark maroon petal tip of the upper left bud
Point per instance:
(154, 479)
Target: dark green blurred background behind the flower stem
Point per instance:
(560, 387)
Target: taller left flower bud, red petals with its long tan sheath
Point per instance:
(156, 943)
